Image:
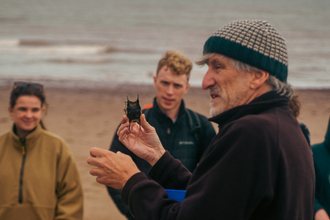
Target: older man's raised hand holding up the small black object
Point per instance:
(142, 141)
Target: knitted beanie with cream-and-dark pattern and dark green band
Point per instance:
(253, 42)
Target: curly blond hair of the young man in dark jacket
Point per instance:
(177, 62)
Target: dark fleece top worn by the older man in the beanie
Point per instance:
(259, 166)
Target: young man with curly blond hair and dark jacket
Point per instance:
(184, 133)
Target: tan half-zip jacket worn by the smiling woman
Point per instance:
(38, 178)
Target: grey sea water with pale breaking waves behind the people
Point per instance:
(113, 42)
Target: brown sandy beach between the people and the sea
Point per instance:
(87, 118)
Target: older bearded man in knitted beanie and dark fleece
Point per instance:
(259, 166)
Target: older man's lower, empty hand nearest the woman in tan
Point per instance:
(112, 169)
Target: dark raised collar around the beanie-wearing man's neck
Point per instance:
(260, 104)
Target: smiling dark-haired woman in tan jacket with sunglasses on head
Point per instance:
(38, 176)
